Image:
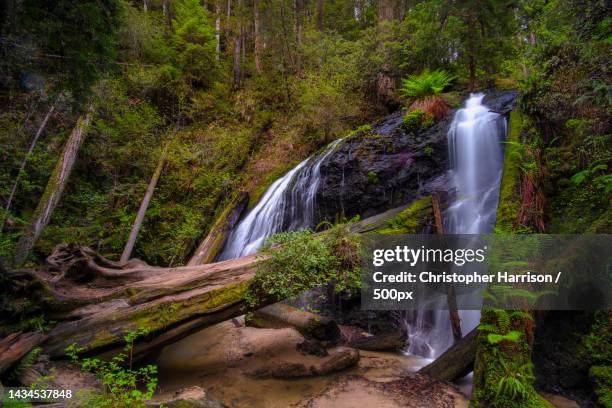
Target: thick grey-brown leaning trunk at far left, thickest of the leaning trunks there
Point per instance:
(55, 187)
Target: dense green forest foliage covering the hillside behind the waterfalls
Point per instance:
(217, 97)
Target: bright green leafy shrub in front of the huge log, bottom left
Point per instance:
(122, 382)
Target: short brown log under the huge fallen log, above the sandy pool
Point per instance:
(280, 315)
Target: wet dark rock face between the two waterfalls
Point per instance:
(372, 172)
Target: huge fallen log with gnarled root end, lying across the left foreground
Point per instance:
(96, 301)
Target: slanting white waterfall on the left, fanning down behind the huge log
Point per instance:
(287, 205)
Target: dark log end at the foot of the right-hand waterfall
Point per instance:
(456, 362)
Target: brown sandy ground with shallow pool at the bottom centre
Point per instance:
(224, 359)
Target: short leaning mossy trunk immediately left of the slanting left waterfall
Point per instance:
(213, 243)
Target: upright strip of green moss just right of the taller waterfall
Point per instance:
(508, 208)
